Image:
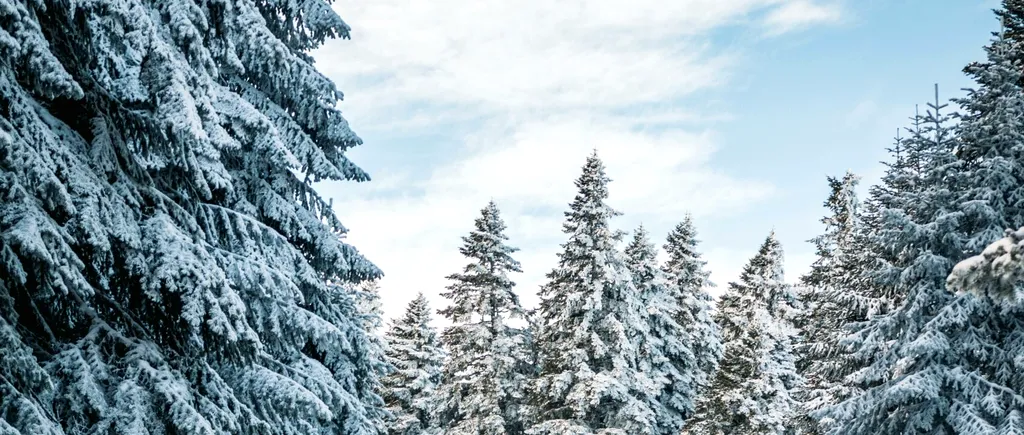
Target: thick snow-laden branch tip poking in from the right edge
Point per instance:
(996, 272)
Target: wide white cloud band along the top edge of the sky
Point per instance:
(536, 55)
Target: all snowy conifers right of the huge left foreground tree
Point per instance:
(885, 335)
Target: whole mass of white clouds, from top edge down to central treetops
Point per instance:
(541, 84)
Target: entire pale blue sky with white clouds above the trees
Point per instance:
(733, 110)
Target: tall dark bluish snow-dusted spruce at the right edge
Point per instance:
(960, 353)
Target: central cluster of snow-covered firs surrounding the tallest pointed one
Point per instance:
(620, 344)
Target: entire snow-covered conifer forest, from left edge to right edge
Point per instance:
(168, 268)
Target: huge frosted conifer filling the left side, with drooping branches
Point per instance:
(164, 259)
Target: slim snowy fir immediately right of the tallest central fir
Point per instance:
(666, 357)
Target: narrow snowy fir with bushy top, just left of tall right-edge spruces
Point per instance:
(834, 287)
